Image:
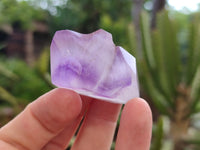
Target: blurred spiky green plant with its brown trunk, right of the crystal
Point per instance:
(171, 79)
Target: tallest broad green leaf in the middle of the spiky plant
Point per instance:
(170, 53)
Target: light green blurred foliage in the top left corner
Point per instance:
(12, 11)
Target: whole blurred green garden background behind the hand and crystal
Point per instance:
(165, 42)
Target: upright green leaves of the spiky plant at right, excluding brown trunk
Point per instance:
(164, 67)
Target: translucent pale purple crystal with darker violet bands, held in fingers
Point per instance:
(92, 65)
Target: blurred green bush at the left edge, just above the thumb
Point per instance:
(22, 81)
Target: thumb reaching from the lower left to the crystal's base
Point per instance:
(41, 120)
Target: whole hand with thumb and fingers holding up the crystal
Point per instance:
(50, 122)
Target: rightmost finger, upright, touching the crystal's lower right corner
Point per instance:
(135, 126)
